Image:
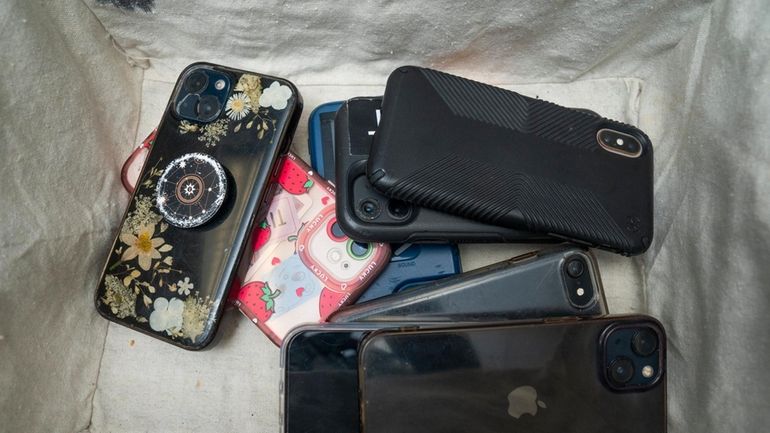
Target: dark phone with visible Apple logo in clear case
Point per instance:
(595, 375)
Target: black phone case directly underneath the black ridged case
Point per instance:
(353, 127)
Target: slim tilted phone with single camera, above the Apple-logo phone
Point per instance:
(524, 287)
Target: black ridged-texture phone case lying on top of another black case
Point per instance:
(496, 156)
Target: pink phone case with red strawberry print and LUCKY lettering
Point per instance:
(303, 267)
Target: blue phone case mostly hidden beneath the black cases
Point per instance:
(416, 264)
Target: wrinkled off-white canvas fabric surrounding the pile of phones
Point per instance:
(83, 81)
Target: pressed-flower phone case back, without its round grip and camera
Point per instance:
(173, 284)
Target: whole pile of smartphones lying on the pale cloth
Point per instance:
(352, 267)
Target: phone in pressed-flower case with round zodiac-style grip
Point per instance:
(188, 221)
